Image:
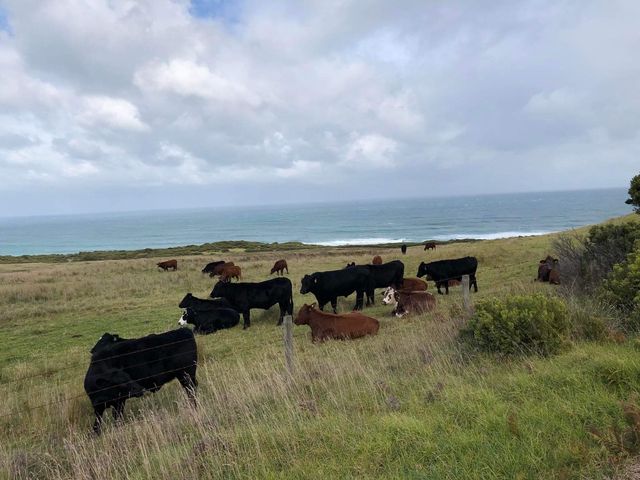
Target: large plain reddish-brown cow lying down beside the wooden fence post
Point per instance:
(326, 325)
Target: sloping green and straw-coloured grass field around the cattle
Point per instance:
(408, 403)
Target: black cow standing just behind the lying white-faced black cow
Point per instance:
(244, 296)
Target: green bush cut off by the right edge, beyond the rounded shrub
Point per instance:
(622, 289)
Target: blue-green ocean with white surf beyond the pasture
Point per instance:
(340, 223)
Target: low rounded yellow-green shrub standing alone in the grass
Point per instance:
(519, 324)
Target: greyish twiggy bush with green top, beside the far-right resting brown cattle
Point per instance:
(585, 262)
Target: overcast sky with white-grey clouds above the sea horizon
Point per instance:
(136, 104)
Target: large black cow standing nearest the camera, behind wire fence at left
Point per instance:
(122, 368)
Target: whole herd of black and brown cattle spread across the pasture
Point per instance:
(123, 368)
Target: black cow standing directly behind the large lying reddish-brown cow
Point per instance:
(328, 286)
